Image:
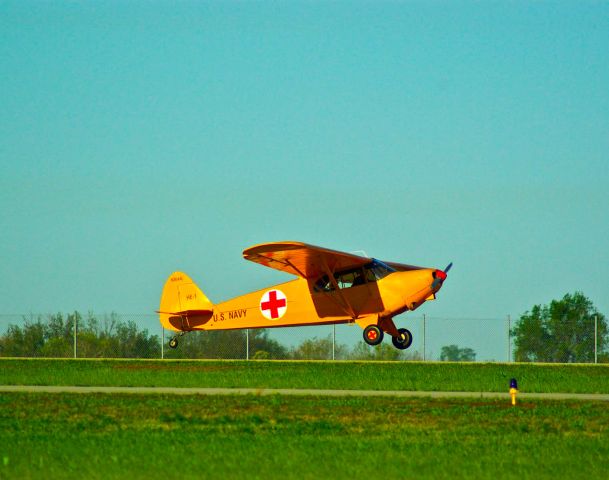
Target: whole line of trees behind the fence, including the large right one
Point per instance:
(565, 330)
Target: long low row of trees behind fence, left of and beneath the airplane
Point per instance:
(109, 336)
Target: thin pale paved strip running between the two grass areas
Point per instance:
(284, 391)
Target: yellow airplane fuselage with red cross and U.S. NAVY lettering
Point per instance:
(362, 295)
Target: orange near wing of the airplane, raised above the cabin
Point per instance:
(301, 259)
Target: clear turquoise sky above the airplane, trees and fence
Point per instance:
(139, 138)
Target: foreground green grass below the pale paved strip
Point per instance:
(130, 436)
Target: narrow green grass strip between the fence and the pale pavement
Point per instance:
(440, 376)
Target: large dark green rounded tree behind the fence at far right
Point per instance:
(562, 331)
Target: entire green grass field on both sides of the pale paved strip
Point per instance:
(248, 436)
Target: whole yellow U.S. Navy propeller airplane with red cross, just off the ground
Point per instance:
(333, 287)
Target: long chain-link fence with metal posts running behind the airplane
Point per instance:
(141, 336)
